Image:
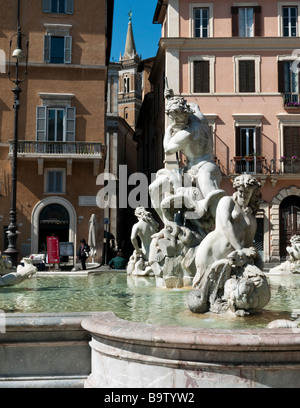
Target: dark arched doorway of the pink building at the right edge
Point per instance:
(289, 222)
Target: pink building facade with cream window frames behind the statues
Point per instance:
(239, 62)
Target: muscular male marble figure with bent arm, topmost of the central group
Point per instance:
(194, 189)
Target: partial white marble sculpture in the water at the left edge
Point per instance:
(10, 276)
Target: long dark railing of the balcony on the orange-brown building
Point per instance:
(35, 148)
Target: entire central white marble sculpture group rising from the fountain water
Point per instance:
(206, 241)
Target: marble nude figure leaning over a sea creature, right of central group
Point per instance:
(229, 276)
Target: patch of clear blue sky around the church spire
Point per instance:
(146, 34)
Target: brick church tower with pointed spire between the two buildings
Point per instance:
(130, 81)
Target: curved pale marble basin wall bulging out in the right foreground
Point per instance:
(136, 355)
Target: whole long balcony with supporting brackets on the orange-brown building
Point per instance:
(69, 151)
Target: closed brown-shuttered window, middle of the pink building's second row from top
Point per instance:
(247, 74)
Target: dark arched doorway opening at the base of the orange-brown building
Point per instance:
(54, 220)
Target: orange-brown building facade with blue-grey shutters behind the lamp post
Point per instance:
(61, 146)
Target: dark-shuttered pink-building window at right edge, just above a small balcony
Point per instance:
(288, 81)
